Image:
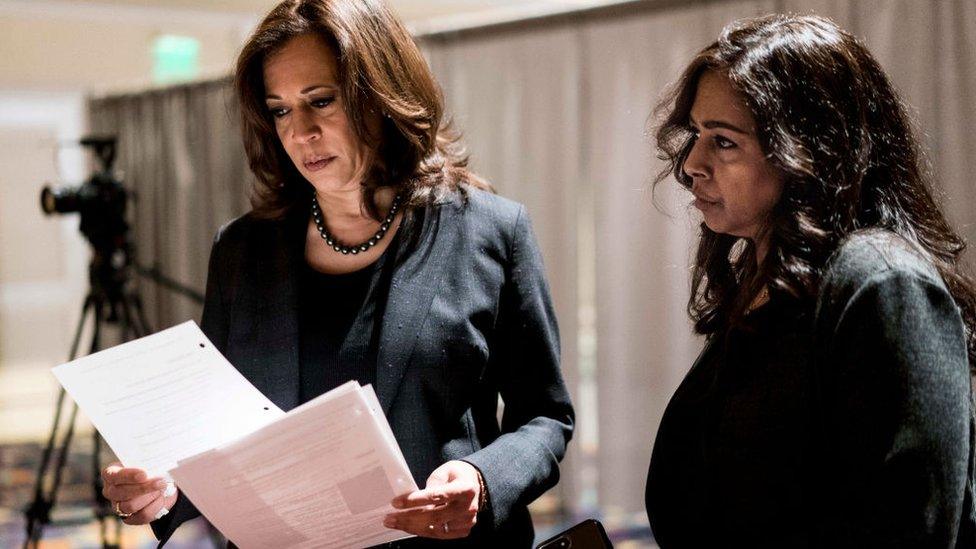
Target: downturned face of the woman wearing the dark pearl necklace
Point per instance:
(303, 96)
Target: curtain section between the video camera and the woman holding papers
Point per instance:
(180, 153)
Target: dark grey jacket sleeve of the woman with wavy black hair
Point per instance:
(897, 415)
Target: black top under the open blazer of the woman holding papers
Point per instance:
(331, 354)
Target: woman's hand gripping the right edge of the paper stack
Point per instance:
(446, 509)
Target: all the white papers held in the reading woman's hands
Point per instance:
(321, 475)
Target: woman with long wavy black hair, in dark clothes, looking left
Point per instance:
(831, 405)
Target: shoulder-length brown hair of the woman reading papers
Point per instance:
(381, 70)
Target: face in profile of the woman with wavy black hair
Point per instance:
(734, 184)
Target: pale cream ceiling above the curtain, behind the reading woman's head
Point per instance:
(103, 45)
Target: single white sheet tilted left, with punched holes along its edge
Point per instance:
(165, 397)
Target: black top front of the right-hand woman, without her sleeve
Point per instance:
(729, 461)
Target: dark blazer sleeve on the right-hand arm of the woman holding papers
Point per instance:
(537, 421)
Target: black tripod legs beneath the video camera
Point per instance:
(108, 302)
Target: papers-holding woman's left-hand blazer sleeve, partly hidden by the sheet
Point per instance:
(214, 325)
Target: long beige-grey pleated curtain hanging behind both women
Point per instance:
(554, 113)
